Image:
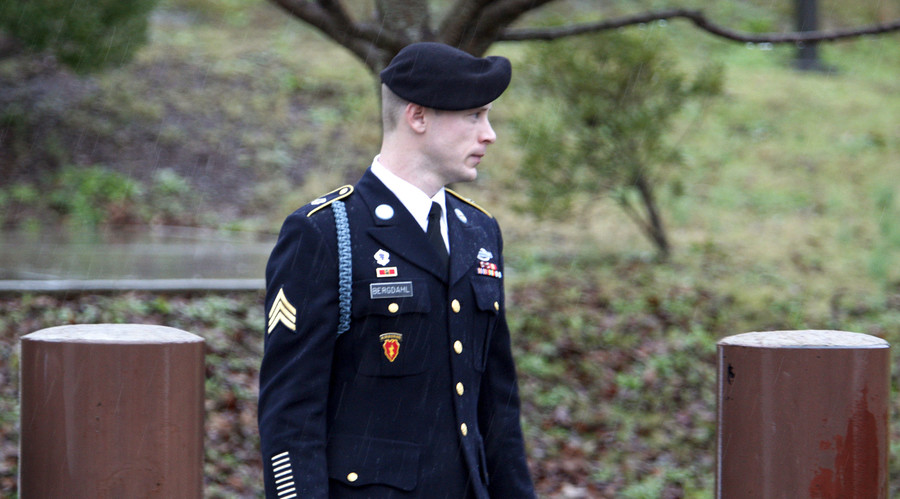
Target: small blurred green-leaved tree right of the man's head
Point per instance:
(607, 103)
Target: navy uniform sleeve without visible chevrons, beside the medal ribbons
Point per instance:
(499, 415)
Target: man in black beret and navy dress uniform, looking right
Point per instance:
(387, 370)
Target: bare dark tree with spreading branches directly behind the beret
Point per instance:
(474, 25)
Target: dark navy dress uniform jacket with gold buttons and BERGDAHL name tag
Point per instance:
(340, 418)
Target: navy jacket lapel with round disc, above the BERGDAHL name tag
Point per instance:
(400, 233)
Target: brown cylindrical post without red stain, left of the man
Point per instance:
(111, 411)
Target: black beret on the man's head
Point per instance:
(439, 76)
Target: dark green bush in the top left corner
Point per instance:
(84, 35)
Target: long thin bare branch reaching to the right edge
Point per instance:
(700, 20)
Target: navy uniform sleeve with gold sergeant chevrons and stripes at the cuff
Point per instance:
(300, 332)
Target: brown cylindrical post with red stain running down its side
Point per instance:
(803, 414)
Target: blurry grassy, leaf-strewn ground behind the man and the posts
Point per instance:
(782, 217)
